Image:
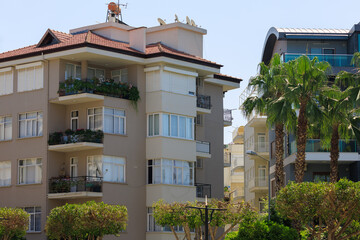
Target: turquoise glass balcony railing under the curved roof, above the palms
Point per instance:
(335, 60)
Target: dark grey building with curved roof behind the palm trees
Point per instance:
(337, 47)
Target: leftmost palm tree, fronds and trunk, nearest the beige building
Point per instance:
(270, 84)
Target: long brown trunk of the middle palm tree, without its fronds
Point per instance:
(301, 142)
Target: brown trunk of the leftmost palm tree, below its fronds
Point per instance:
(279, 152)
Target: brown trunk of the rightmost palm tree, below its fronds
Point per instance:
(334, 153)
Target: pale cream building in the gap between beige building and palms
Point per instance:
(234, 166)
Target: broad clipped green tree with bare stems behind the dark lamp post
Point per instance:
(178, 214)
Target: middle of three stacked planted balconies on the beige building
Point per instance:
(79, 140)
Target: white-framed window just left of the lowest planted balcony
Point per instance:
(30, 170)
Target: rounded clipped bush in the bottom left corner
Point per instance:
(13, 223)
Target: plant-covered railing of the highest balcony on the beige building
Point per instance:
(106, 87)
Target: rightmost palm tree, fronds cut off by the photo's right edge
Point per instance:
(341, 105)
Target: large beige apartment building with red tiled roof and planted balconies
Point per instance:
(113, 113)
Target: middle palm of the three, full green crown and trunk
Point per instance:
(305, 78)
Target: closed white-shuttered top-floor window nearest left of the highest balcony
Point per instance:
(30, 78)
